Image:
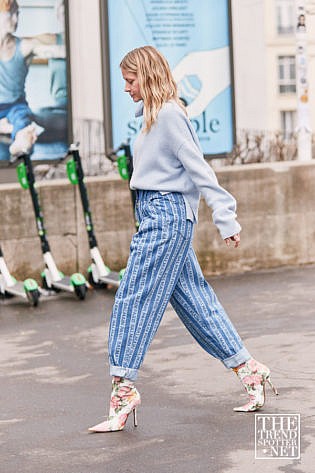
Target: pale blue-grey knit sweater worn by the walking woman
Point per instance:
(169, 158)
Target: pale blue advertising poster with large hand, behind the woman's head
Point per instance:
(195, 37)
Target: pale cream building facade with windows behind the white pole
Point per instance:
(265, 45)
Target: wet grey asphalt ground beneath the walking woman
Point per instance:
(54, 384)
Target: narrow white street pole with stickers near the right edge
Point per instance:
(304, 135)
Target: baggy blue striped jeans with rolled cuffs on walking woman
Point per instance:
(162, 268)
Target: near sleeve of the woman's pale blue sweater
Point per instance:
(188, 152)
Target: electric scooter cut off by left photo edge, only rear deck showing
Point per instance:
(9, 286)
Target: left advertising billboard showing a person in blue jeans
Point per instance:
(34, 95)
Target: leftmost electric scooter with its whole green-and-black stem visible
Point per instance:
(52, 278)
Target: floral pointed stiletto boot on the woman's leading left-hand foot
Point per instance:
(124, 400)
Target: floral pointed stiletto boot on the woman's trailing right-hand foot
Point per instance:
(254, 376)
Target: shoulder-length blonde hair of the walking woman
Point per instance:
(156, 82)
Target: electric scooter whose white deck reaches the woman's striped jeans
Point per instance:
(99, 275)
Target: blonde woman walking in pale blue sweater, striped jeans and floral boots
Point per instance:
(169, 175)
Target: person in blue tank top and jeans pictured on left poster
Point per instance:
(16, 54)
